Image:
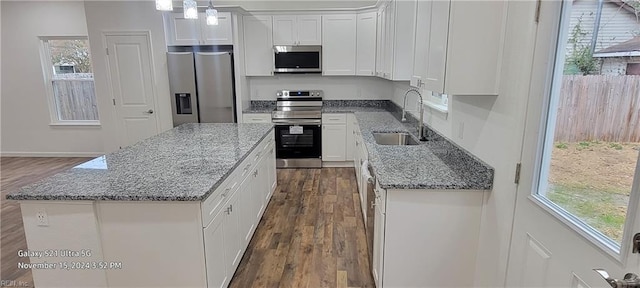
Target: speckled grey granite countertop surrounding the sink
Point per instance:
(433, 164)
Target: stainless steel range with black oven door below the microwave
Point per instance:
(298, 120)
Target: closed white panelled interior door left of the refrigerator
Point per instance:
(132, 86)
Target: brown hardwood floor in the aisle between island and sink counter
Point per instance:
(312, 234)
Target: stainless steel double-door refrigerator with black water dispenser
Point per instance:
(202, 87)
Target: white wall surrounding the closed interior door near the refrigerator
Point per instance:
(127, 16)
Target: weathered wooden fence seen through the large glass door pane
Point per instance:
(599, 107)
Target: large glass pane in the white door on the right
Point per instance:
(592, 135)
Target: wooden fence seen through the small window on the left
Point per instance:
(75, 99)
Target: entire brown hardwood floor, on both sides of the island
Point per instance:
(311, 235)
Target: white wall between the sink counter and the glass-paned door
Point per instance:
(492, 131)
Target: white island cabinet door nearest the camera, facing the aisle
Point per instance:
(217, 275)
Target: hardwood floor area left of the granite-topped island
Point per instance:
(16, 172)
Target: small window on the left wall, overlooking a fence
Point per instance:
(69, 81)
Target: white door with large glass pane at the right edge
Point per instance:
(577, 198)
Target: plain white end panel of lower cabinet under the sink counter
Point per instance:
(426, 238)
